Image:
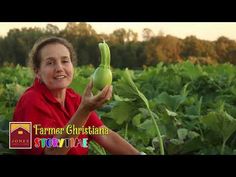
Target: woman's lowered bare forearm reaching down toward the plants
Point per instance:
(115, 144)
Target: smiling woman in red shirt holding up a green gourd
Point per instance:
(50, 105)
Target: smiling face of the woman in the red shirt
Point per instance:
(56, 69)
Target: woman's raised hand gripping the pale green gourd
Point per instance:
(90, 102)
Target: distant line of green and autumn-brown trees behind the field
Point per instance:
(126, 50)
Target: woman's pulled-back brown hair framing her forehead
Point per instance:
(34, 57)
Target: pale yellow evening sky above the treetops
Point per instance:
(202, 30)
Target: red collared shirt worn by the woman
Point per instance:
(39, 106)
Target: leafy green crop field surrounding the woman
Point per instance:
(167, 109)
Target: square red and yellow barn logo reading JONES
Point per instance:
(20, 135)
